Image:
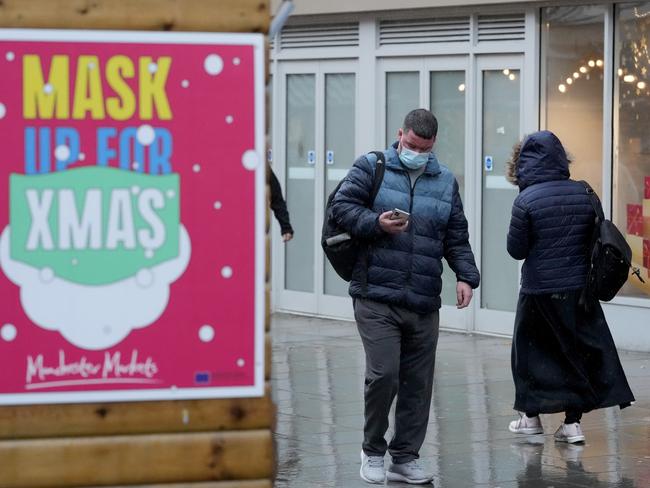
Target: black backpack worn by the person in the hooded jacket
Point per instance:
(609, 257)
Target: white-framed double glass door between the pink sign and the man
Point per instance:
(316, 127)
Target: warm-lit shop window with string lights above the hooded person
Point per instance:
(572, 80)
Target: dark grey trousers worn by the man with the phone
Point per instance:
(400, 348)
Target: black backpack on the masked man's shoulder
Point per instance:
(342, 250)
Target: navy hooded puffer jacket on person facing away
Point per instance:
(552, 219)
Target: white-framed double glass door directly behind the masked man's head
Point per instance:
(441, 84)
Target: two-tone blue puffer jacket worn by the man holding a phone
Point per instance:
(406, 269)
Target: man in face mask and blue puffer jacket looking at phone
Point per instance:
(396, 285)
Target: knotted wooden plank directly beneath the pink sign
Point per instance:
(31, 421)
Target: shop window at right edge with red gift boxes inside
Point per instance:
(631, 209)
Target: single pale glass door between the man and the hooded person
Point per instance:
(499, 127)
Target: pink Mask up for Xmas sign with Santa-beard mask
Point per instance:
(131, 217)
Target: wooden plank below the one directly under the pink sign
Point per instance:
(125, 460)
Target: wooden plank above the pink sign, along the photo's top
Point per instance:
(157, 15)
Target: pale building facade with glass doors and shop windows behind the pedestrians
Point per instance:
(344, 76)
